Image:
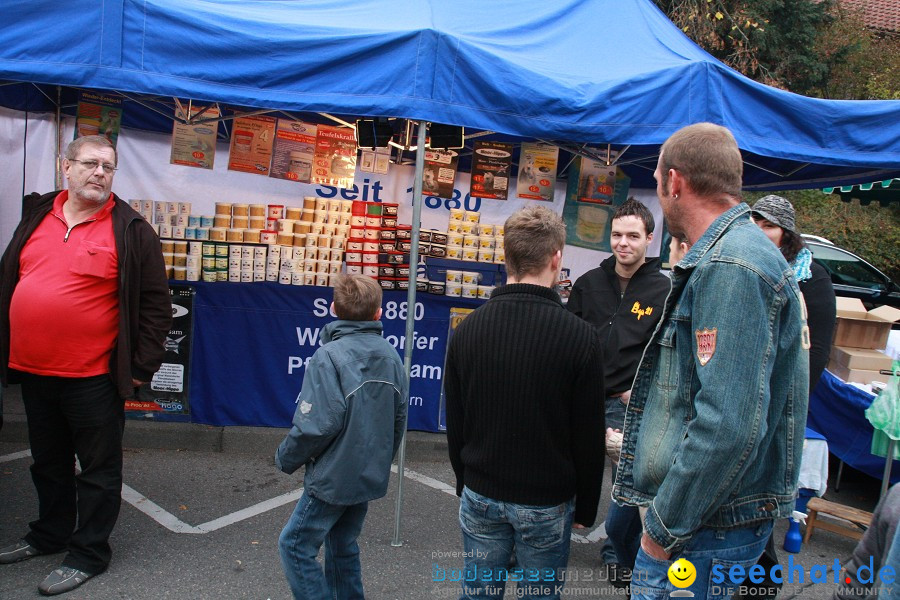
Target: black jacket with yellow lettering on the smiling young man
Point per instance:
(625, 323)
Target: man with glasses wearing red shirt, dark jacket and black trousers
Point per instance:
(84, 311)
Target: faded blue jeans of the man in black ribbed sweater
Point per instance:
(492, 529)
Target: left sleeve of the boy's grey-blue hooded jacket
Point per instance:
(318, 418)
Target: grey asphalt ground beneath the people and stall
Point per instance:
(204, 507)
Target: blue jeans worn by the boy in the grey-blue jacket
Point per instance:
(313, 522)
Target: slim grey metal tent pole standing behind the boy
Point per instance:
(410, 314)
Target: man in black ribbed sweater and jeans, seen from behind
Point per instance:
(525, 424)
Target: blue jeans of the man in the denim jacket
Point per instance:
(706, 549)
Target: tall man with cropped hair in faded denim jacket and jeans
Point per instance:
(714, 429)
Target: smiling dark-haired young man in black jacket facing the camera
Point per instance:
(623, 298)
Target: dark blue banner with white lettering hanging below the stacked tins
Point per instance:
(252, 343)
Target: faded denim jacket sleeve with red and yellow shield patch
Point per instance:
(737, 308)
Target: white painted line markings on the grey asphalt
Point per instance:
(176, 525)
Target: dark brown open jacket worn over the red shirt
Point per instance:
(145, 310)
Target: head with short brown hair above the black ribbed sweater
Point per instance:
(531, 236)
